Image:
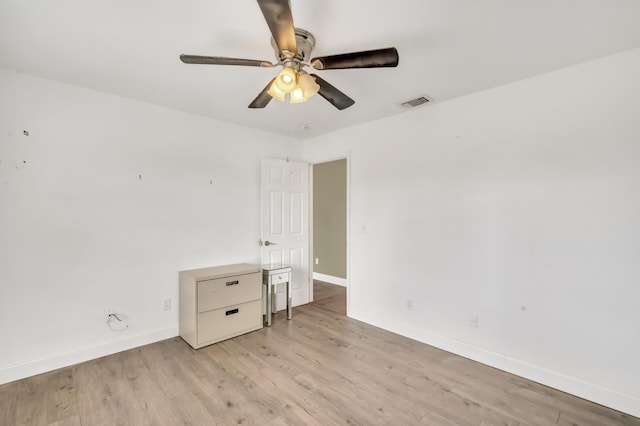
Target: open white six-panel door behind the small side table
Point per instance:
(285, 224)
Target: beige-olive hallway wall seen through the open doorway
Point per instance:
(330, 218)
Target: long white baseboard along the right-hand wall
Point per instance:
(620, 401)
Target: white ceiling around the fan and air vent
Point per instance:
(448, 48)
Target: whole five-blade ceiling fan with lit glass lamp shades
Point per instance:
(293, 48)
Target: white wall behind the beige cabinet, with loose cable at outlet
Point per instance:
(80, 231)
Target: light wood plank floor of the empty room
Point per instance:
(320, 368)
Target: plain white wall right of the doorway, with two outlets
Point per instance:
(520, 205)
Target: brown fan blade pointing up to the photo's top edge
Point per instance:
(277, 13)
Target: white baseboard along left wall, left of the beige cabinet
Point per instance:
(31, 368)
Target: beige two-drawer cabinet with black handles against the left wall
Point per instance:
(219, 303)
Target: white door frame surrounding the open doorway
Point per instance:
(347, 157)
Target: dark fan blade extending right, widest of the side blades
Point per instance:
(366, 59)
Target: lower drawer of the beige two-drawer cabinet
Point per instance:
(230, 321)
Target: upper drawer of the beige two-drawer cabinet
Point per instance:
(222, 292)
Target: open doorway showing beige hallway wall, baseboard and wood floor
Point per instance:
(330, 217)
